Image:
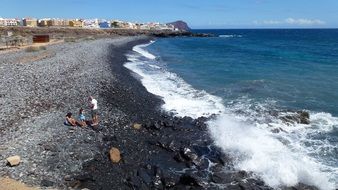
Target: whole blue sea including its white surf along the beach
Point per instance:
(250, 79)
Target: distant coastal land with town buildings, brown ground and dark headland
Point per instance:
(22, 33)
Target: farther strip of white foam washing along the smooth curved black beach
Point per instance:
(180, 98)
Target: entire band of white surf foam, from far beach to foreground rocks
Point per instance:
(280, 159)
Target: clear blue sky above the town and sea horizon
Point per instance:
(222, 14)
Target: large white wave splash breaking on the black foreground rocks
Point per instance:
(278, 160)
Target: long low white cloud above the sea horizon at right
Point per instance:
(291, 21)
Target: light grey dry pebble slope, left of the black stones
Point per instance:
(34, 98)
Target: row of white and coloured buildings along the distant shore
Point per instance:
(84, 23)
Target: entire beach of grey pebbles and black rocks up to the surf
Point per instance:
(162, 152)
